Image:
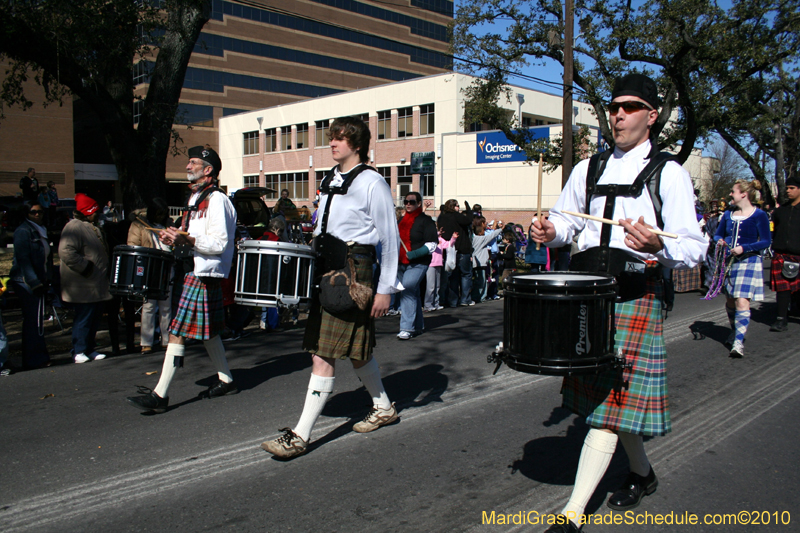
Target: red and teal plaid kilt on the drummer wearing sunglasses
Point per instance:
(633, 400)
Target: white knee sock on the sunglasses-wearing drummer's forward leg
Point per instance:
(598, 449)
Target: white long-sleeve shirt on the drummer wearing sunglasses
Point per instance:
(677, 212)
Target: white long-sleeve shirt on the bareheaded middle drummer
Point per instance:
(366, 215)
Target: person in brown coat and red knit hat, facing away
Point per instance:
(84, 276)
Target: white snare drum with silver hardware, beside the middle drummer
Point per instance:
(274, 274)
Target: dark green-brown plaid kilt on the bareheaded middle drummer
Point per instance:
(347, 335)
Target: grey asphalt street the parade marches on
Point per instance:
(76, 457)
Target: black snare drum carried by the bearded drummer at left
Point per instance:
(140, 271)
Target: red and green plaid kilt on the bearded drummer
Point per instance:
(200, 313)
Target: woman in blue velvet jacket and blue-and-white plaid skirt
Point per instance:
(745, 231)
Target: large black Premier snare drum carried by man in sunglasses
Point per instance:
(559, 323)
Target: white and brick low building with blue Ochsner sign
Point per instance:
(285, 146)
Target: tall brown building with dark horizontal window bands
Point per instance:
(264, 53)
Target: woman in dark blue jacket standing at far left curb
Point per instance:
(30, 273)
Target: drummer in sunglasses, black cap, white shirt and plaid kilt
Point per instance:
(627, 404)
